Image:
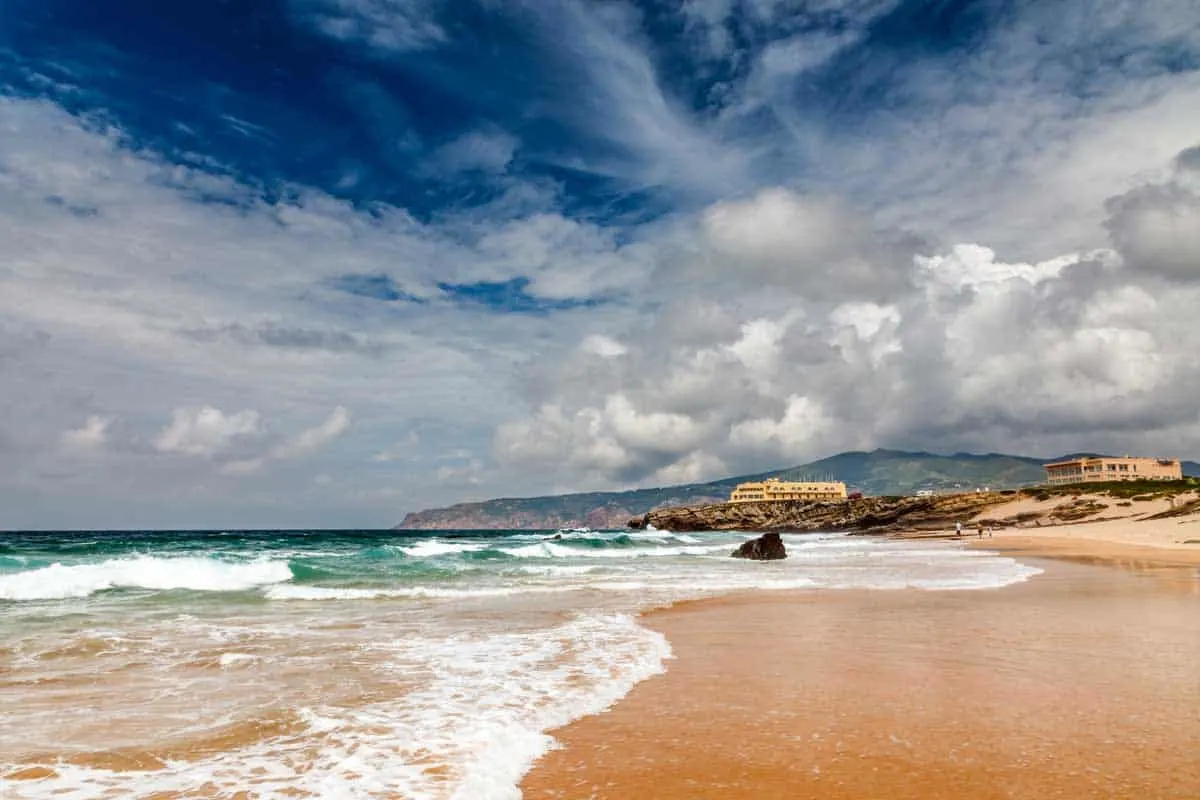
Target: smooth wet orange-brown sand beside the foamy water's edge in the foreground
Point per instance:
(1082, 683)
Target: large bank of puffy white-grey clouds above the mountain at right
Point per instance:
(968, 351)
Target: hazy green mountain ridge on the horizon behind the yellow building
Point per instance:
(881, 472)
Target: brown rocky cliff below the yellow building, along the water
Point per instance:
(866, 515)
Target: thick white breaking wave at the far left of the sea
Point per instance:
(61, 581)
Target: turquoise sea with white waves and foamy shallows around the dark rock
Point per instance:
(363, 664)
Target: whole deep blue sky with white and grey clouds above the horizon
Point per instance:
(319, 263)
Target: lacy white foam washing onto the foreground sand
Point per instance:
(469, 735)
